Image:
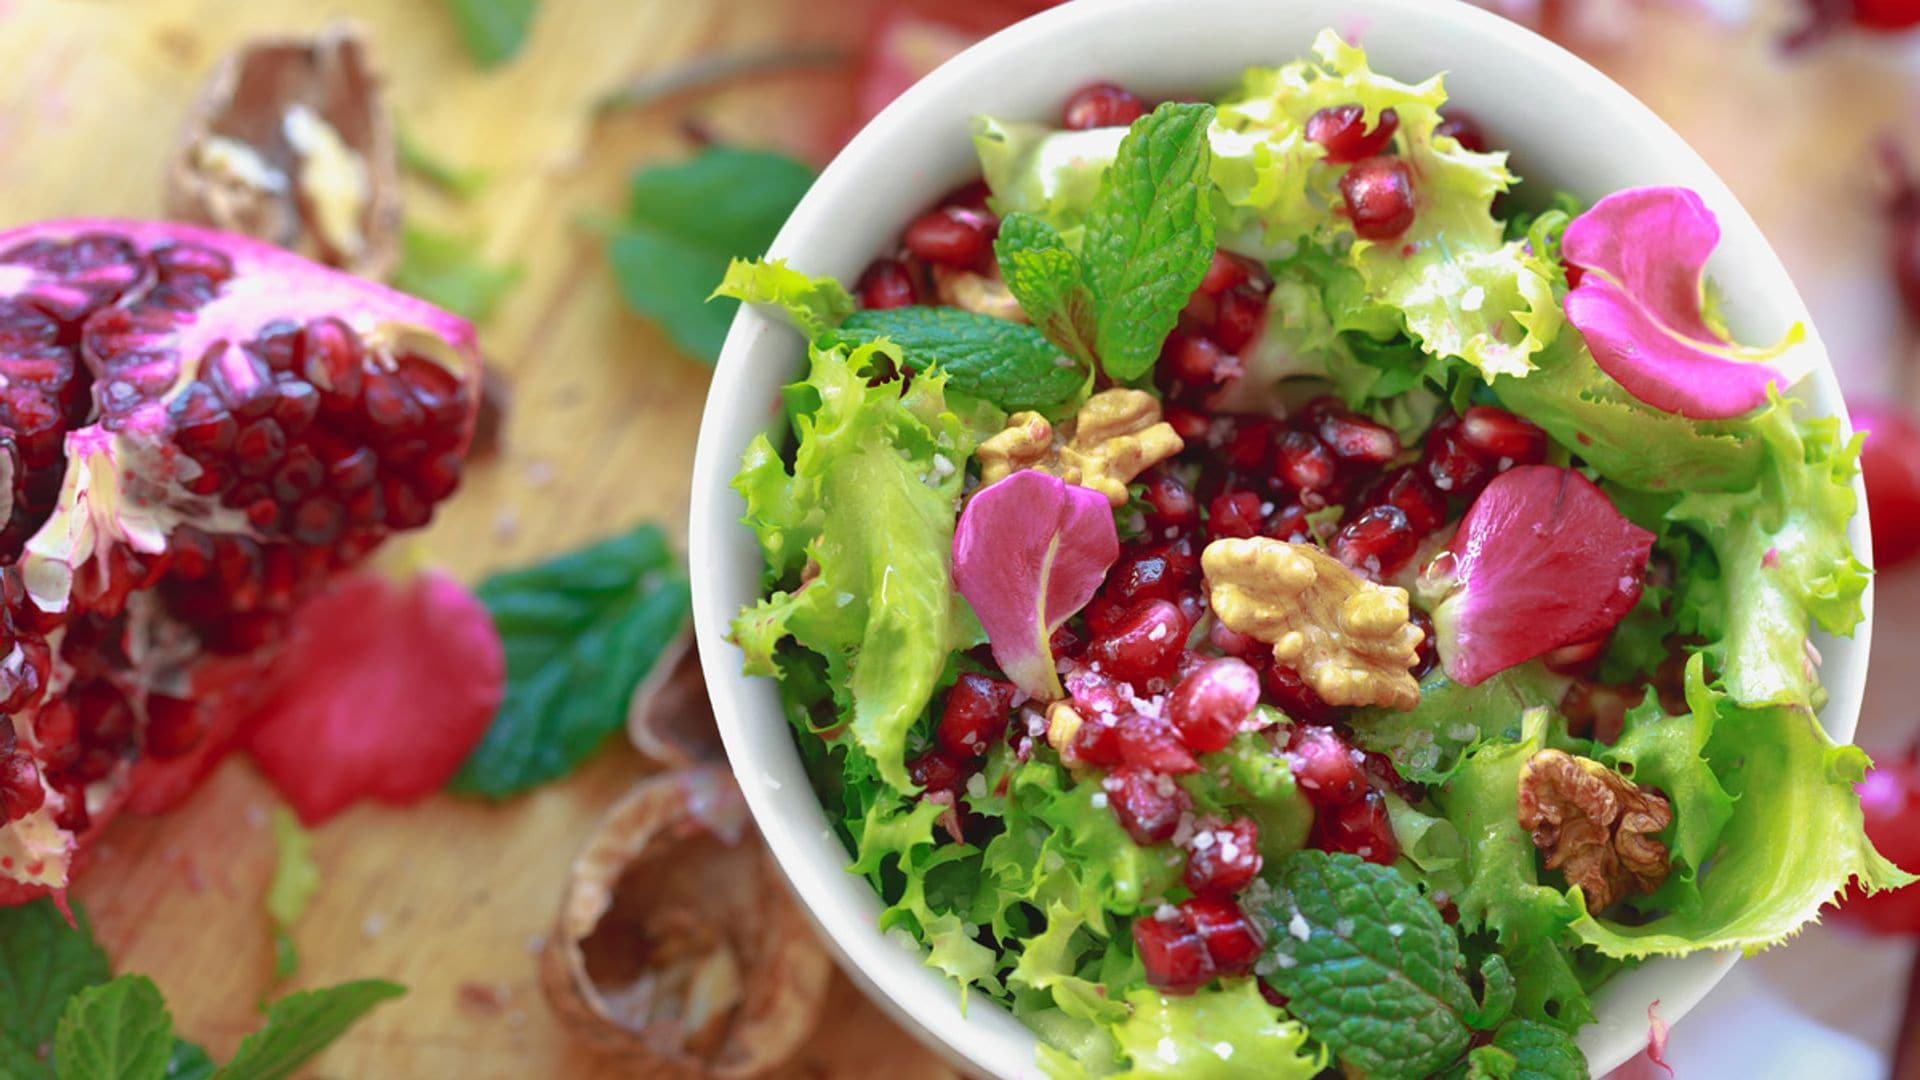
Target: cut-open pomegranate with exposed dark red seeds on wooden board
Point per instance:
(197, 431)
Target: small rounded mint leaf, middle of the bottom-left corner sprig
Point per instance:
(114, 1031)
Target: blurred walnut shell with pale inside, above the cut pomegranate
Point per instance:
(291, 143)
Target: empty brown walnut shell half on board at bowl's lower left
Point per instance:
(679, 948)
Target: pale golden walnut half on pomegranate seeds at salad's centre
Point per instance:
(1347, 637)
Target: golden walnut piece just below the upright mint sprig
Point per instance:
(1116, 437)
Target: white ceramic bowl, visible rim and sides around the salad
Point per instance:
(1568, 124)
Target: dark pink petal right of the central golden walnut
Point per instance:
(1541, 560)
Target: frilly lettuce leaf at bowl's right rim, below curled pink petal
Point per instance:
(1785, 562)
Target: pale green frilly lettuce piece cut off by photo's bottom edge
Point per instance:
(1216, 1035)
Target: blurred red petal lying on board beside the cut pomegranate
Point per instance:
(385, 691)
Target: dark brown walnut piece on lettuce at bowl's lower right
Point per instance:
(1595, 825)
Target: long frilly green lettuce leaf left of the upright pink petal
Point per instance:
(869, 504)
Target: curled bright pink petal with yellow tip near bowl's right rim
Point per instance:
(1644, 255)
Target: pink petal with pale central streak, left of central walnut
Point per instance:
(1028, 554)
